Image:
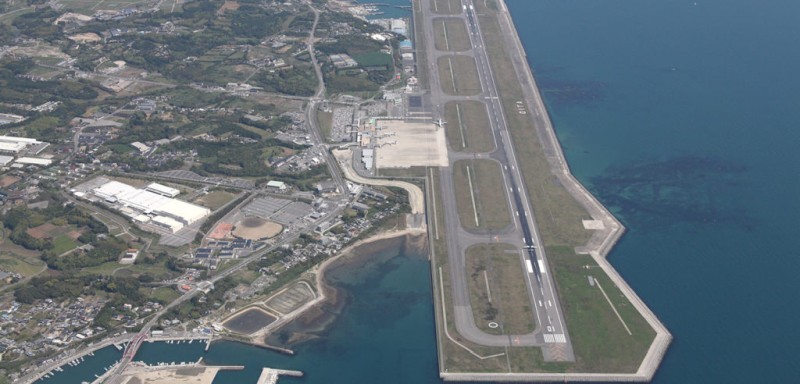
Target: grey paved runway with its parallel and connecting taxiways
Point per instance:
(551, 332)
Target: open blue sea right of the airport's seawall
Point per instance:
(683, 117)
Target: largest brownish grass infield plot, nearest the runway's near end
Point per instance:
(506, 302)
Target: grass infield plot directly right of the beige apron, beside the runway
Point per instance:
(468, 128)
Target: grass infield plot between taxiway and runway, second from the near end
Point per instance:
(480, 195)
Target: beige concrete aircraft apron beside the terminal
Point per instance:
(415, 144)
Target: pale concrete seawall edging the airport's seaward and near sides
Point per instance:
(598, 246)
